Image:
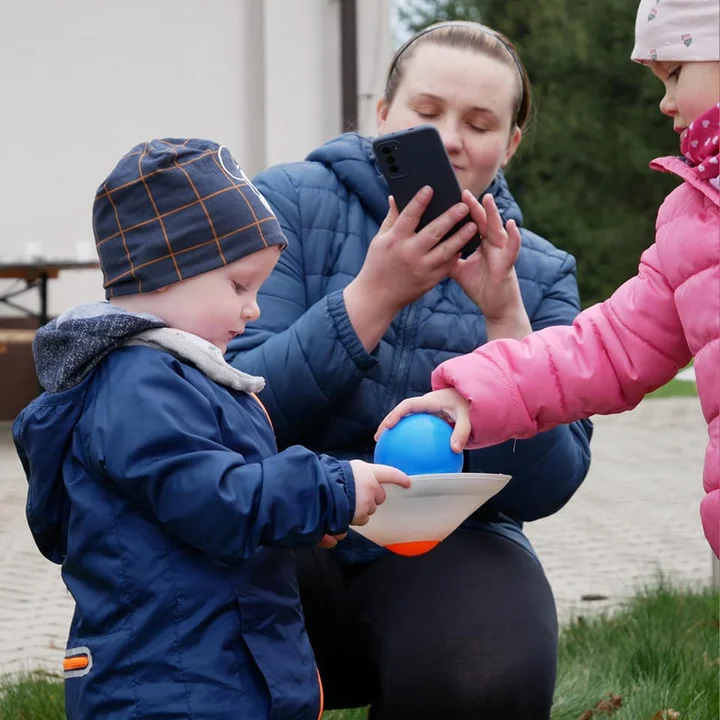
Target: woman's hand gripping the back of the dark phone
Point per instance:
(402, 265)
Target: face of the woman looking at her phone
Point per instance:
(470, 98)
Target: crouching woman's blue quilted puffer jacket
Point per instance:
(325, 391)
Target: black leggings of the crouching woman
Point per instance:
(467, 631)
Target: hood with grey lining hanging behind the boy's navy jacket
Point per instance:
(66, 351)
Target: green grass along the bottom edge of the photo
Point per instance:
(659, 652)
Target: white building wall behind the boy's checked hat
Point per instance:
(81, 81)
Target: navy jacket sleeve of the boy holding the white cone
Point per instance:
(172, 461)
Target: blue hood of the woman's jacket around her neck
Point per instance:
(351, 158)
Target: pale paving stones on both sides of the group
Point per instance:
(635, 515)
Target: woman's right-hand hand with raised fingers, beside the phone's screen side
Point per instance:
(488, 276)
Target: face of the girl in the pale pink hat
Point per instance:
(691, 88)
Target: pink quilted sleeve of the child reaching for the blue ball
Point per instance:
(606, 362)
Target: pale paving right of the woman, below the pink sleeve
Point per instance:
(636, 514)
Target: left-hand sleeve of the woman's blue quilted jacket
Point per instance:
(310, 356)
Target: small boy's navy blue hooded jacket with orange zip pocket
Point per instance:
(163, 496)
